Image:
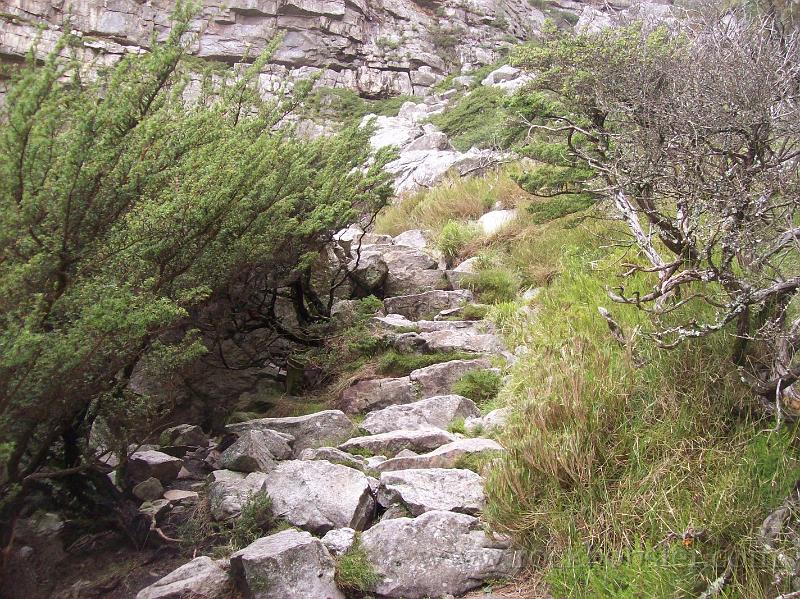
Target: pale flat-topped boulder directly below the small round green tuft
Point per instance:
(438, 411)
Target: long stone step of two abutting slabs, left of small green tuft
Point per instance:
(422, 383)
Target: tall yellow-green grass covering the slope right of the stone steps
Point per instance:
(616, 452)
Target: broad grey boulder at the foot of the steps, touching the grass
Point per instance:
(435, 554)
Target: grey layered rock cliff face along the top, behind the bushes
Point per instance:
(376, 47)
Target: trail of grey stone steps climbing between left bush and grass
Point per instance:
(381, 474)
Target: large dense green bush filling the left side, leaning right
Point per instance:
(129, 204)
